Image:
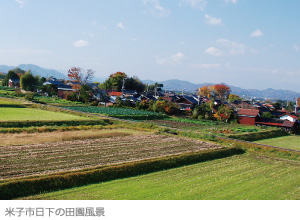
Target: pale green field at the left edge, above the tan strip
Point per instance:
(24, 114)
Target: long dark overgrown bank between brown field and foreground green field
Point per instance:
(40, 184)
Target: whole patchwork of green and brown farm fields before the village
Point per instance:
(71, 158)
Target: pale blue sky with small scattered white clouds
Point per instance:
(252, 44)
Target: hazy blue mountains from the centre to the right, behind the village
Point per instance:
(185, 86)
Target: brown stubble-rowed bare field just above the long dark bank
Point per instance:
(27, 160)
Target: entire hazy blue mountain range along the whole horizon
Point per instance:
(170, 85)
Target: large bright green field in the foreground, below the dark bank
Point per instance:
(238, 177)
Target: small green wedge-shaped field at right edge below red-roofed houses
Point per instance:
(290, 142)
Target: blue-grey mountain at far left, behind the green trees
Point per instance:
(36, 70)
